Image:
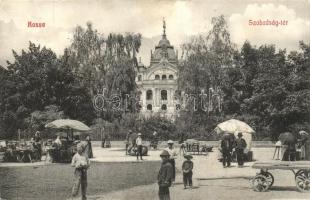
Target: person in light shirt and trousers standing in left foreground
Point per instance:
(81, 164)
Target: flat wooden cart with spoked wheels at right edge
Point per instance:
(264, 179)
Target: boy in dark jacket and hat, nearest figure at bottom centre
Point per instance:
(164, 176)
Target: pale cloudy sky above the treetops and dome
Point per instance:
(183, 18)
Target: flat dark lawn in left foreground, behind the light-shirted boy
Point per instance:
(55, 181)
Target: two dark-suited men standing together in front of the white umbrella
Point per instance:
(230, 143)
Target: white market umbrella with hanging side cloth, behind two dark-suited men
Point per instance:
(234, 126)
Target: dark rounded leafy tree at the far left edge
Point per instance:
(24, 86)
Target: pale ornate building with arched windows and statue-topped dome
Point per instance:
(157, 83)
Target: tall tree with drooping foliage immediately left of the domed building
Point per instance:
(108, 63)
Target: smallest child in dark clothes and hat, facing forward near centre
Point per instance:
(187, 169)
